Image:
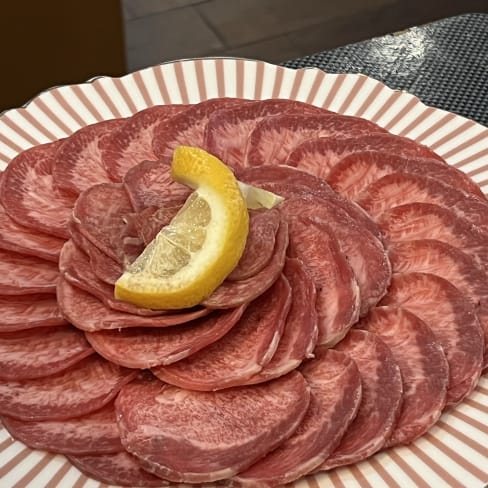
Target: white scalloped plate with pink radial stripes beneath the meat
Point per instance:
(454, 453)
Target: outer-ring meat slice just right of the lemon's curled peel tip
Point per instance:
(228, 129)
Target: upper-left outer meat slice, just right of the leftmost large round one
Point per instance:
(78, 161)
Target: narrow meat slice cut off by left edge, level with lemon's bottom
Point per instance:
(21, 312)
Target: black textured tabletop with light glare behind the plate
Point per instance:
(444, 63)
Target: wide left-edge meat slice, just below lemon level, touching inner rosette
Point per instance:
(28, 354)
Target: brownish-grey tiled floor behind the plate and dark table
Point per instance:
(271, 30)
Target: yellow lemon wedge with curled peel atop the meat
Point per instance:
(191, 257)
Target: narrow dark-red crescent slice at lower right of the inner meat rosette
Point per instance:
(300, 333)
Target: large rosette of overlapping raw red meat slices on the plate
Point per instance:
(357, 313)
